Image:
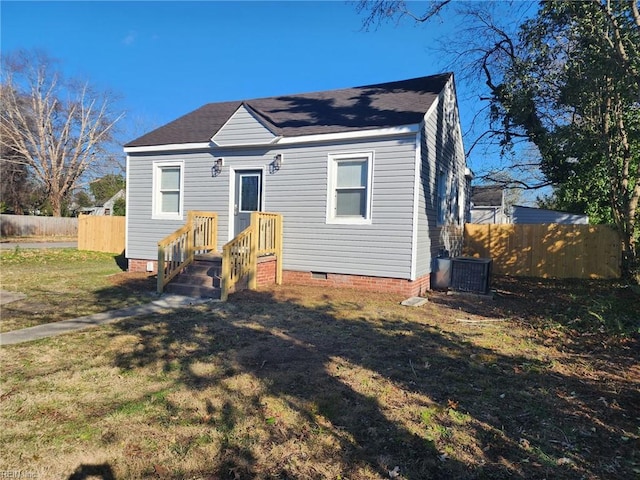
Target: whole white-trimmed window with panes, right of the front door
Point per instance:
(349, 188)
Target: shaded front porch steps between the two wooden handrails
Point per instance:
(200, 279)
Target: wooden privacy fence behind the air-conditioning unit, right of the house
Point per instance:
(554, 251)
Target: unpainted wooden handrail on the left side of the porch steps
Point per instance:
(176, 251)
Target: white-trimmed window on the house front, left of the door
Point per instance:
(168, 190)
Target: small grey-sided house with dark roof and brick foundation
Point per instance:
(371, 181)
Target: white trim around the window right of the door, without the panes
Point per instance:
(333, 160)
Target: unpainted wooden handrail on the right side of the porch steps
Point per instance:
(262, 237)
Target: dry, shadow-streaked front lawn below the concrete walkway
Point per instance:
(300, 383)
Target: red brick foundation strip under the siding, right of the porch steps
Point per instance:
(398, 286)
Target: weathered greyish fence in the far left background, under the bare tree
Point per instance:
(32, 226)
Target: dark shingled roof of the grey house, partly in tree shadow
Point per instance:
(373, 106)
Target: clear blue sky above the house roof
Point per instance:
(167, 58)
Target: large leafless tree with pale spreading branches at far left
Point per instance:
(58, 127)
